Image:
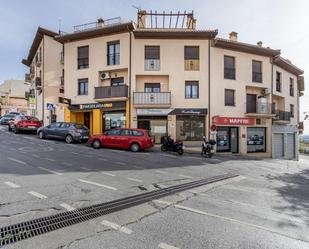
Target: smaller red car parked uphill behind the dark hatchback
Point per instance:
(25, 123)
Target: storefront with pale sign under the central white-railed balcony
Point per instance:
(153, 120)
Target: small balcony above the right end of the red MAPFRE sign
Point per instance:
(259, 109)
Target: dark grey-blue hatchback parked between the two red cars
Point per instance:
(70, 132)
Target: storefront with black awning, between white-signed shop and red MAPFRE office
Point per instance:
(190, 123)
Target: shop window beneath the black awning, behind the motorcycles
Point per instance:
(190, 128)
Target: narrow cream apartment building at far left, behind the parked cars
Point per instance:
(45, 62)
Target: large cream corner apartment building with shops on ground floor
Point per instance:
(183, 82)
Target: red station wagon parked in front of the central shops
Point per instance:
(133, 139)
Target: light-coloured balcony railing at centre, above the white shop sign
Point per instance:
(142, 98)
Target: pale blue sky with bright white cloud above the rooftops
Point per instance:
(280, 24)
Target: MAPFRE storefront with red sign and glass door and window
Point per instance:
(242, 135)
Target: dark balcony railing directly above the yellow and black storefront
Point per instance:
(103, 92)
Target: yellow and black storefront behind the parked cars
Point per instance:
(99, 117)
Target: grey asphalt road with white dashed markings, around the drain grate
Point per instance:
(267, 206)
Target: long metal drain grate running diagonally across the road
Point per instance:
(28, 229)
